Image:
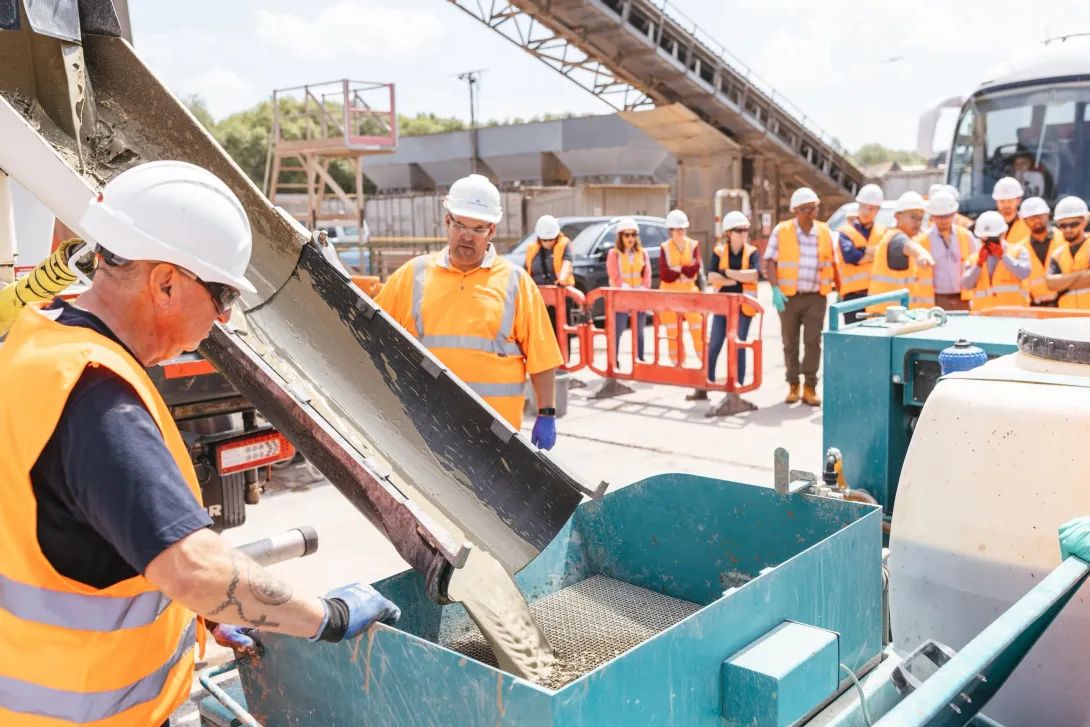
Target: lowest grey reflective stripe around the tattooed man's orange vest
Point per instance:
(81, 708)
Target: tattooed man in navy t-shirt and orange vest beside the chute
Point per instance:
(108, 566)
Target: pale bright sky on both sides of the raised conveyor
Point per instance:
(863, 71)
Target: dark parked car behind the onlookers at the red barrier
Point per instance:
(591, 239)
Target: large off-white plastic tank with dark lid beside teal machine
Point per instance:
(999, 461)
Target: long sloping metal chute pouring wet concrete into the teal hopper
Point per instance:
(409, 445)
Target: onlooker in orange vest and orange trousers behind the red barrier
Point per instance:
(680, 268)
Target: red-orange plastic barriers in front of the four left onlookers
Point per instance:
(628, 301)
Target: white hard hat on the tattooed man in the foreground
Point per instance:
(177, 213)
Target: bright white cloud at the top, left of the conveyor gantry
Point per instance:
(361, 29)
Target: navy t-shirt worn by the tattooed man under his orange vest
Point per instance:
(111, 496)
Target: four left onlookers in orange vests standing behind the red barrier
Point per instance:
(734, 269)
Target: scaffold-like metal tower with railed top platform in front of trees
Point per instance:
(317, 126)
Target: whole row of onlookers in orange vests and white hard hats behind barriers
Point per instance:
(1022, 255)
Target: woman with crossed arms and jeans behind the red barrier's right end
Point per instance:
(734, 269)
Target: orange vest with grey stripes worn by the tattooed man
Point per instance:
(72, 655)
